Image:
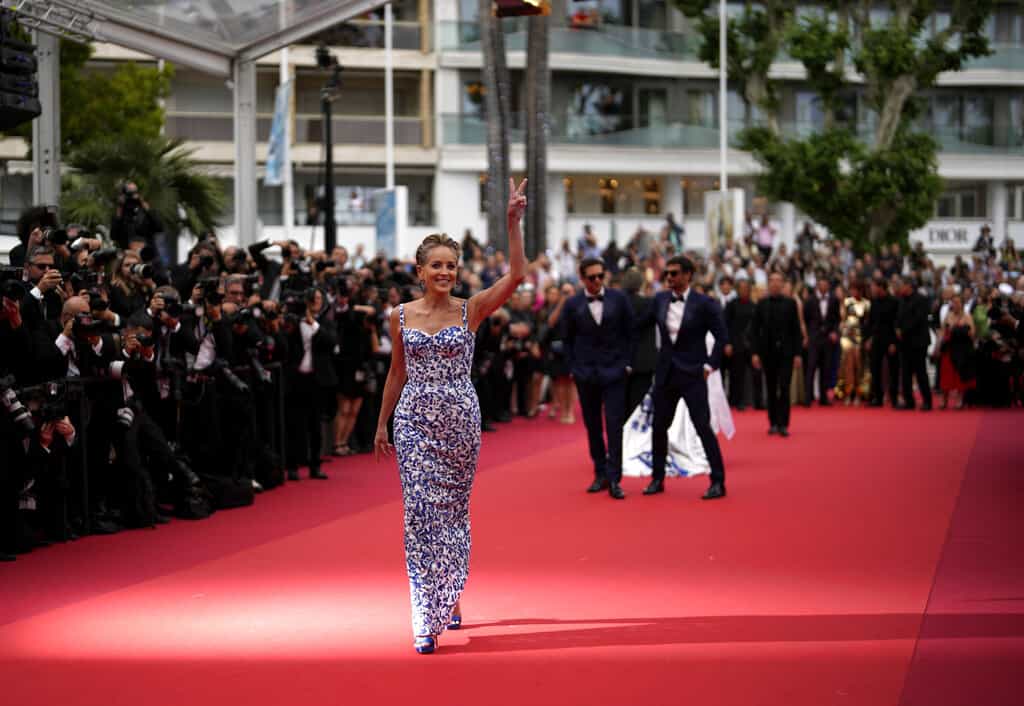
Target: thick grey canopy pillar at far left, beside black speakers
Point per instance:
(47, 129)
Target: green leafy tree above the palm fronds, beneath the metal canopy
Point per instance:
(97, 102)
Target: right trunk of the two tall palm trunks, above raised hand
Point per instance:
(538, 106)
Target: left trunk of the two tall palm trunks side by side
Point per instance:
(497, 96)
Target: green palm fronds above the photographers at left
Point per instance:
(169, 180)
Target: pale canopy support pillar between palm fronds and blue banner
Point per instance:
(245, 153)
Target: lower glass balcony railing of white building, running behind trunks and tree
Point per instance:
(464, 130)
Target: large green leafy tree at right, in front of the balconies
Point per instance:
(872, 183)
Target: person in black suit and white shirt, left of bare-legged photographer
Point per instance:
(311, 379)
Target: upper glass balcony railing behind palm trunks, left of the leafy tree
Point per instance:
(606, 39)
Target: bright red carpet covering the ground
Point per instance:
(808, 586)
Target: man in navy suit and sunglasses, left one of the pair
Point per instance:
(599, 334)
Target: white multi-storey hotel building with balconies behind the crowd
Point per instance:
(634, 127)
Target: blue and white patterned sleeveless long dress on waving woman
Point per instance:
(438, 441)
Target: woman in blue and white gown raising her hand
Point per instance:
(438, 422)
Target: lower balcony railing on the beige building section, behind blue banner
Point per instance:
(220, 128)
